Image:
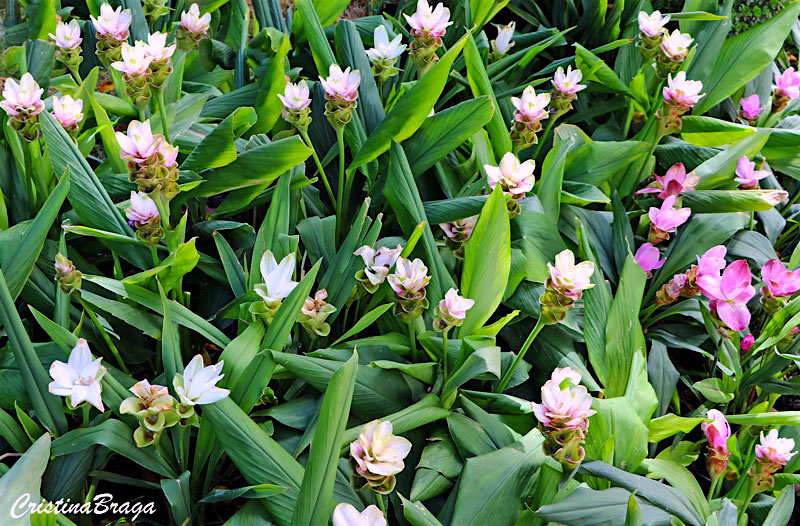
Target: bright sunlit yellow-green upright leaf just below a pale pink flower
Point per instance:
(487, 262)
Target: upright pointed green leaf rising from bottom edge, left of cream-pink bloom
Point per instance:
(315, 501)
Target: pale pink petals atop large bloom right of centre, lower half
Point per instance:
(569, 407)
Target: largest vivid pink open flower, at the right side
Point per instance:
(729, 294)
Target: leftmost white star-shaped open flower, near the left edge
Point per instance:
(79, 378)
